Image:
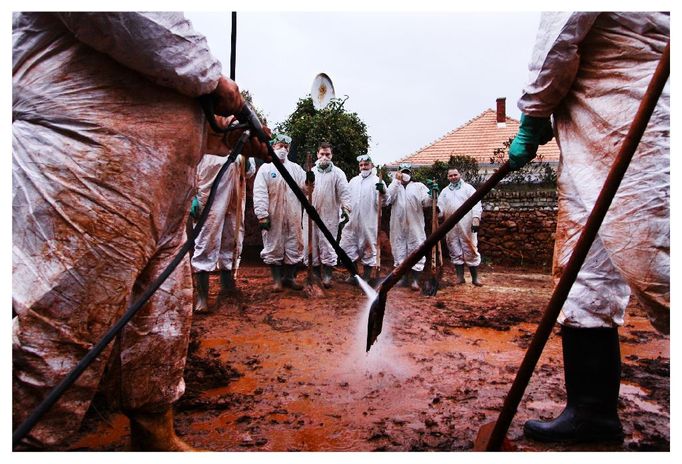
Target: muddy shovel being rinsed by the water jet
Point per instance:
(376, 312)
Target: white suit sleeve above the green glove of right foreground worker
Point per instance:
(555, 61)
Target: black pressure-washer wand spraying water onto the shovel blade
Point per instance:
(248, 118)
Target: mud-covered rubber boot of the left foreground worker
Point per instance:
(155, 432)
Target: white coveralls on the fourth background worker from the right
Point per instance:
(329, 196)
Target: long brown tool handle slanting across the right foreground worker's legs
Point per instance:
(491, 438)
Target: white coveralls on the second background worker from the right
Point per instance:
(407, 219)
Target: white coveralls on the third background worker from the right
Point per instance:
(359, 236)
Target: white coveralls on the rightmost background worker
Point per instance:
(462, 242)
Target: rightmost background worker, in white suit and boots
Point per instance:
(462, 240)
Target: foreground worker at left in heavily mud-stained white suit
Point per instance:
(106, 136)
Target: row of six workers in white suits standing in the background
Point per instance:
(287, 244)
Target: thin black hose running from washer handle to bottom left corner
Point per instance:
(56, 393)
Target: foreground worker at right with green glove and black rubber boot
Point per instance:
(590, 72)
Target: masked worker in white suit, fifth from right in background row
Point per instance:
(279, 216)
